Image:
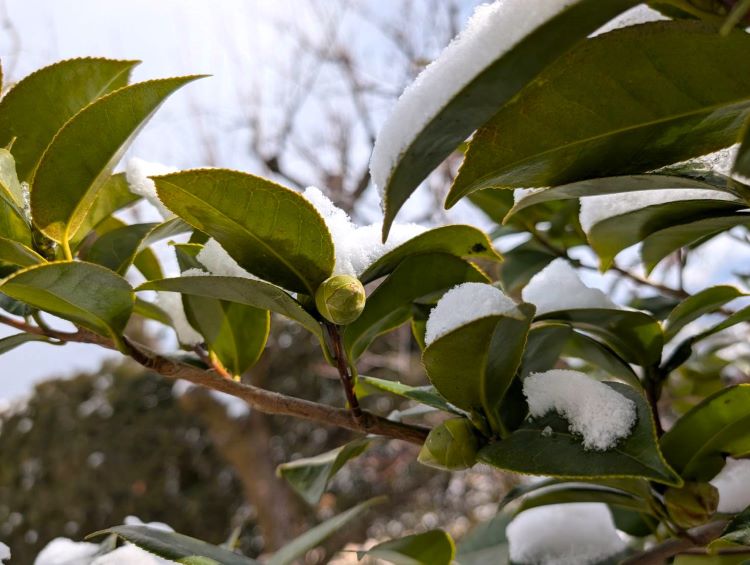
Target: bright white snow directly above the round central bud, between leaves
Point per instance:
(356, 247)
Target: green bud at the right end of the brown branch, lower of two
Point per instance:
(451, 446)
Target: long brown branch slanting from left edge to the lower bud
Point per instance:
(260, 399)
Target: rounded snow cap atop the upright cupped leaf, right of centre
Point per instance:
(465, 303)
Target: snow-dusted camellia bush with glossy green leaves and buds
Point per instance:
(615, 128)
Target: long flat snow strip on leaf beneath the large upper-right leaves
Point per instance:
(595, 209)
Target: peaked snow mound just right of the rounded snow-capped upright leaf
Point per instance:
(558, 287)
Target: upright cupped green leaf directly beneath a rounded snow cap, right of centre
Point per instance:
(473, 365)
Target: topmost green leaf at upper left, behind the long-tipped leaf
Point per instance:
(35, 109)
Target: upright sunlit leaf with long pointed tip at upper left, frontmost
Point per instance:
(79, 160)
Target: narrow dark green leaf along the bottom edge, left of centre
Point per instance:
(174, 546)
